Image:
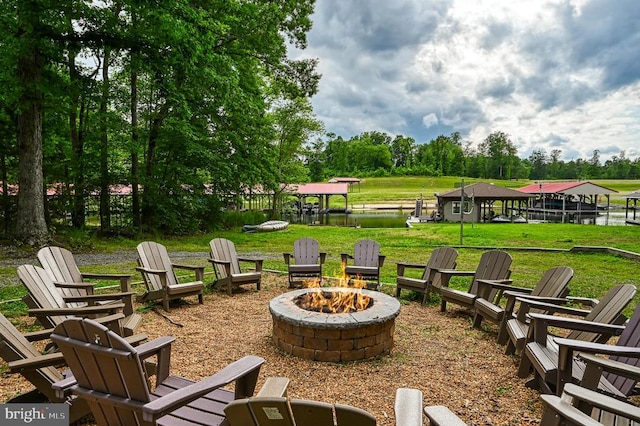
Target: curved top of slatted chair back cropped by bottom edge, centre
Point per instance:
(279, 411)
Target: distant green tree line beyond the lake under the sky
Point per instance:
(496, 157)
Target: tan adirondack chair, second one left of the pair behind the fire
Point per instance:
(160, 278)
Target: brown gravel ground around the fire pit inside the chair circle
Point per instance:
(441, 354)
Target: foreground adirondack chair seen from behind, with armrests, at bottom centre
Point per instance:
(271, 407)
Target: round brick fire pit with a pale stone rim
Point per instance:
(334, 337)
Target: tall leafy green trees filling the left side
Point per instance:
(182, 98)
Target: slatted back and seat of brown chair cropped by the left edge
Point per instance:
(14, 347)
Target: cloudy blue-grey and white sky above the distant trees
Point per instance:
(552, 74)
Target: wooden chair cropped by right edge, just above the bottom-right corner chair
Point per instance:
(626, 351)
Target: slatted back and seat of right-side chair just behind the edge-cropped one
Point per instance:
(607, 311)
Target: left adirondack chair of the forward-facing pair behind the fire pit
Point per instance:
(305, 262)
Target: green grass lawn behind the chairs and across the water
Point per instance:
(594, 272)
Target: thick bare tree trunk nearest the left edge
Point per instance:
(31, 227)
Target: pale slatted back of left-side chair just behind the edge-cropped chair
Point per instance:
(43, 292)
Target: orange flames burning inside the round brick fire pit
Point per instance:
(335, 302)
